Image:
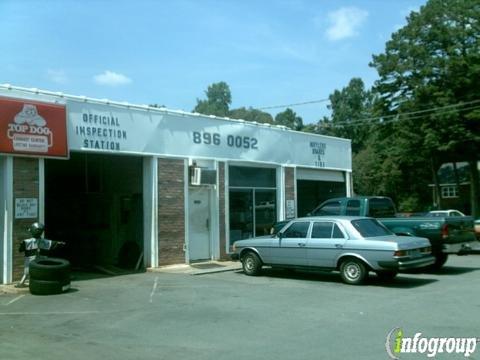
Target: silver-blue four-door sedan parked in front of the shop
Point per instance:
(352, 245)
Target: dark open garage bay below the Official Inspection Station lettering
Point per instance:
(94, 203)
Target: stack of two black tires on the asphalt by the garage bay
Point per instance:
(49, 276)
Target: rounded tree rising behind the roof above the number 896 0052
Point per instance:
(218, 100)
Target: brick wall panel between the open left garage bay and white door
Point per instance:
(171, 211)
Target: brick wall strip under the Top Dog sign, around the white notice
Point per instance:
(25, 185)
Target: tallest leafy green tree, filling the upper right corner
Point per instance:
(431, 67)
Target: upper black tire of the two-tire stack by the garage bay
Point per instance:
(50, 269)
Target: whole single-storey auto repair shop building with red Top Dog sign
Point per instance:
(146, 187)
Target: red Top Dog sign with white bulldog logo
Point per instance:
(33, 128)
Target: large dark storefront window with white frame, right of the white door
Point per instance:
(252, 201)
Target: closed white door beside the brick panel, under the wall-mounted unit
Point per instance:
(199, 224)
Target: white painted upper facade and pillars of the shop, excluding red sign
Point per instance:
(100, 126)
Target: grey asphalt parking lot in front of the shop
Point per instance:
(280, 315)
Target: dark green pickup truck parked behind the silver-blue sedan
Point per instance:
(447, 234)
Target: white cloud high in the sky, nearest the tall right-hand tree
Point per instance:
(345, 22)
